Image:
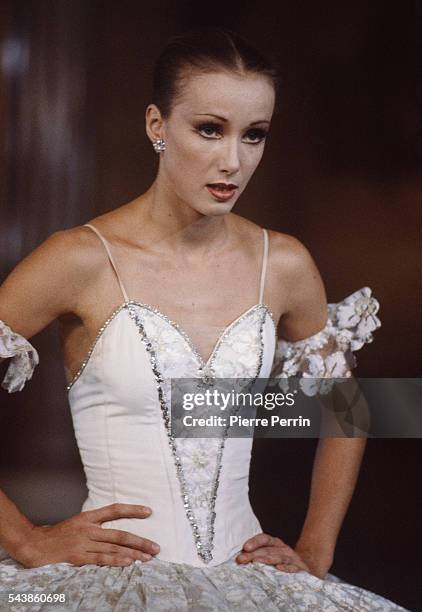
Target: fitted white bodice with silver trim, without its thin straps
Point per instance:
(197, 487)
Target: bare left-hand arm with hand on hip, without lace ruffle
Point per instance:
(48, 283)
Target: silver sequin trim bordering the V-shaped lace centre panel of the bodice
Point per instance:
(205, 545)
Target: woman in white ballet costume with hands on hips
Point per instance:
(167, 523)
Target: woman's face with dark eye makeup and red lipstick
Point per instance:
(215, 138)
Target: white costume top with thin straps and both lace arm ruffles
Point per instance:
(120, 397)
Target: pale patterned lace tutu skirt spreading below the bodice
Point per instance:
(158, 586)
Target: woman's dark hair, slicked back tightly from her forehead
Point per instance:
(204, 49)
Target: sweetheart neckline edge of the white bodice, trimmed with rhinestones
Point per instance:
(202, 363)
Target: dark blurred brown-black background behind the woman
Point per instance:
(341, 171)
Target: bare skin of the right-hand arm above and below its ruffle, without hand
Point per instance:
(337, 460)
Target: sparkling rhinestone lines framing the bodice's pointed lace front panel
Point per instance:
(203, 550)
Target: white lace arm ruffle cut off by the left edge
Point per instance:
(23, 356)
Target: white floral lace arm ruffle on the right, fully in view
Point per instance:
(329, 353)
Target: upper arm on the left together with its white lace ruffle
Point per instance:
(43, 286)
